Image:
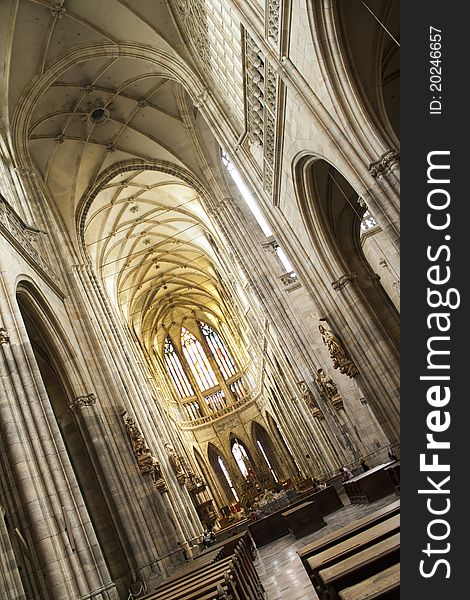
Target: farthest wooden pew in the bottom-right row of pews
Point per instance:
(347, 531)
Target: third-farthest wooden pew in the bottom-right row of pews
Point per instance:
(359, 566)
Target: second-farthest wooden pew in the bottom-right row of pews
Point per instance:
(350, 546)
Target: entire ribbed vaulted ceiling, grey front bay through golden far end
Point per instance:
(100, 105)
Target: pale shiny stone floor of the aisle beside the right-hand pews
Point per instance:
(279, 566)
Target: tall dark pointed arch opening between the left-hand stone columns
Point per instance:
(53, 357)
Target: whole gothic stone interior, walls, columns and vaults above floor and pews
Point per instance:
(199, 272)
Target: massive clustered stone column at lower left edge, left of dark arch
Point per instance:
(68, 552)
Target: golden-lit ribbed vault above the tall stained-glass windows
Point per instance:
(148, 236)
